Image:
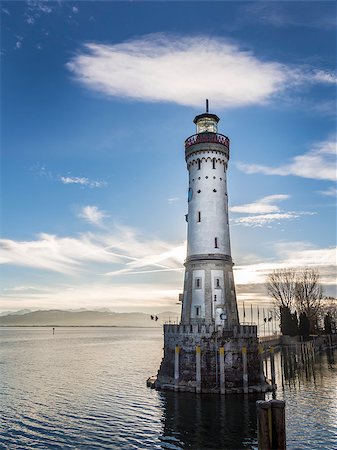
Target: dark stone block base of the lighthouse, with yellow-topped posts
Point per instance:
(200, 358)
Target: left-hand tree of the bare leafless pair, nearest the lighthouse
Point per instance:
(281, 285)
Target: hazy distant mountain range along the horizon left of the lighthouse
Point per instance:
(82, 318)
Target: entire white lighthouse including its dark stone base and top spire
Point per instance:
(209, 351)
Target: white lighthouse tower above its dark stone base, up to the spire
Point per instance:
(209, 290)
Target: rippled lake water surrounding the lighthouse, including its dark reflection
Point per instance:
(85, 388)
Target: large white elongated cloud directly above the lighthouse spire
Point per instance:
(157, 68)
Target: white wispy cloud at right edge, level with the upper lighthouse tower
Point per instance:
(319, 163)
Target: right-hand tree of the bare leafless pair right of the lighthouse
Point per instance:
(308, 294)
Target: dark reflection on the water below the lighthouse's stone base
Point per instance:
(208, 421)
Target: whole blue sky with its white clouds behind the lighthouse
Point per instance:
(97, 100)
